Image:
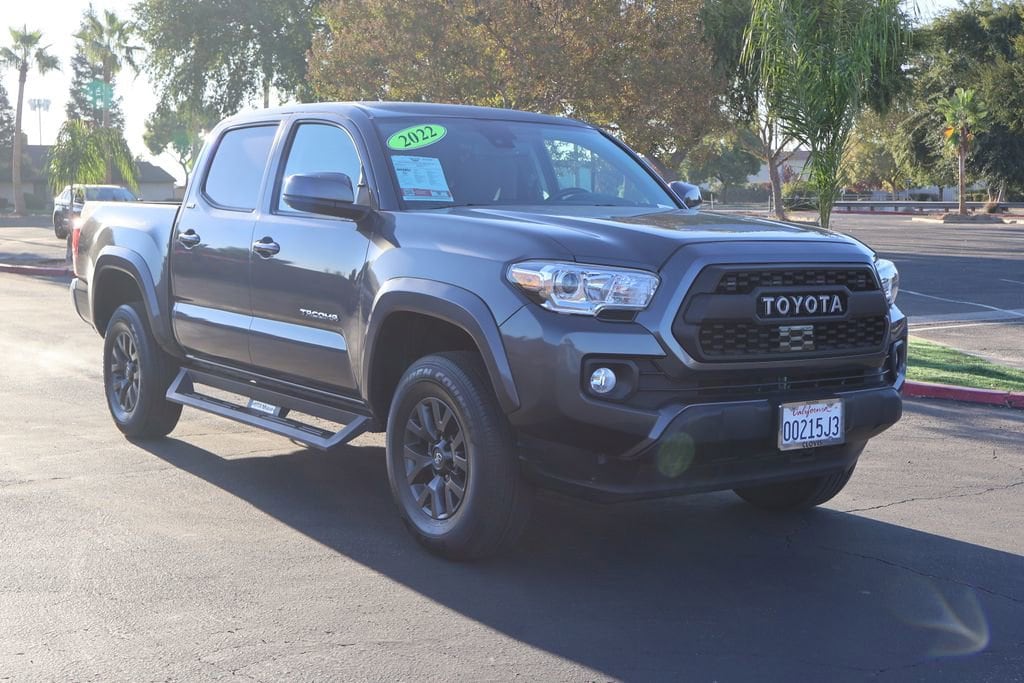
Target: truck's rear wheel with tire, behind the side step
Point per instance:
(137, 374)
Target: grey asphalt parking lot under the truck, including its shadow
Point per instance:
(224, 552)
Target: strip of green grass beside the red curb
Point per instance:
(929, 362)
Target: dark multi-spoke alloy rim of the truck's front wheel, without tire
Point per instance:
(437, 466)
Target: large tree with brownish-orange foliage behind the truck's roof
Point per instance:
(638, 69)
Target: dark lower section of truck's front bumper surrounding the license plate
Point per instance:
(710, 447)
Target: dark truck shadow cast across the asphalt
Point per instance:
(702, 588)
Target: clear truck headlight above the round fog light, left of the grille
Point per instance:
(584, 290)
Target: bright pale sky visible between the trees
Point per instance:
(59, 20)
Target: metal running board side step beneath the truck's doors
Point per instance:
(183, 391)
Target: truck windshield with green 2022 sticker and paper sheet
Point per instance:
(446, 162)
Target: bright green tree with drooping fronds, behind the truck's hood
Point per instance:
(820, 63)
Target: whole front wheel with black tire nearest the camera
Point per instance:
(447, 434)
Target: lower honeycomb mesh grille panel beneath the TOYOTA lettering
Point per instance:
(739, 339)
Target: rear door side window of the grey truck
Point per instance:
(237, 169)
